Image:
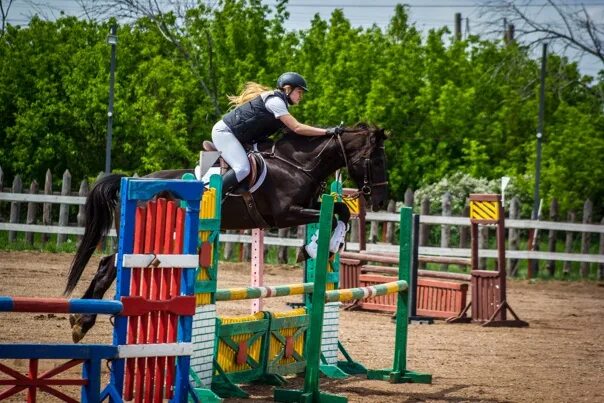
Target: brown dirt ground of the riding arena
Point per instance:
(559, 358)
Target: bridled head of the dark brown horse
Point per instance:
(366, 162)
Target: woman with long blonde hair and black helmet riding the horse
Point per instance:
(259, 112)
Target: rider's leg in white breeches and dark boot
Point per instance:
(233, 153)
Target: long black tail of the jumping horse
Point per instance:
(98, 210)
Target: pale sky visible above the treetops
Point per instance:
(425, 14)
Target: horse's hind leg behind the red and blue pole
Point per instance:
(106, 273)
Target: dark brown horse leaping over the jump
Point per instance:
(297, 171)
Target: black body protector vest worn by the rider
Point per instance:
(252, 121)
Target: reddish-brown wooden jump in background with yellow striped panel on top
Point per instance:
(441, 294)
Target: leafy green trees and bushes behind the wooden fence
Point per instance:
(454, 109)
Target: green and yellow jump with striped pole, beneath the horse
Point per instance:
(266, 346)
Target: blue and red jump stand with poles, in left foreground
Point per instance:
(149, 357)
